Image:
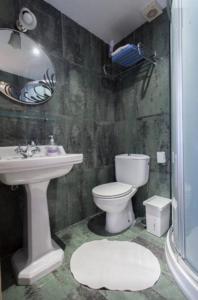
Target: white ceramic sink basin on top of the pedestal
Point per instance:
(16, 170)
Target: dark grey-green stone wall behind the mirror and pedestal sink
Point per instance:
(80, 115)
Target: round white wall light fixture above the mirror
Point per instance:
(26, 20)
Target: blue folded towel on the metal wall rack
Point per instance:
(127, 55)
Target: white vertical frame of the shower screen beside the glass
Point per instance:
(178, 206)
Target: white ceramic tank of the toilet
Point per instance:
(132, 169)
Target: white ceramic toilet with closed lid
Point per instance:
(132, 171)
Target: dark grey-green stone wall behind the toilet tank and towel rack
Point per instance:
(143, 109)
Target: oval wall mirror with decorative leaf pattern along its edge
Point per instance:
(27, 74)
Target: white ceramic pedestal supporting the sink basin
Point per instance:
(40, 254)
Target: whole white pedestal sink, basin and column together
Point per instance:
(40, 254)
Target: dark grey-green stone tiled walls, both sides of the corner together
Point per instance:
(87, 114)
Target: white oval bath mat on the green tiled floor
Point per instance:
(115, 265)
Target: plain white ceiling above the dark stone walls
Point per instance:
(107, 19)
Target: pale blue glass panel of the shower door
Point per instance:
(190, 128)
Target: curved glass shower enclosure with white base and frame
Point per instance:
(182, 240)
